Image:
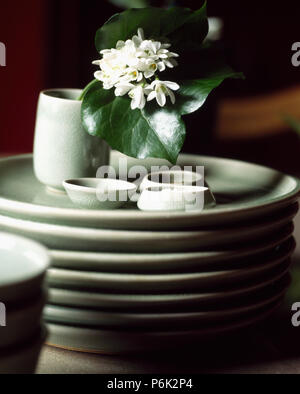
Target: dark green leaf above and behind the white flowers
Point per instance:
(176, 23)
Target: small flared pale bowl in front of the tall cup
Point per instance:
(99, 193)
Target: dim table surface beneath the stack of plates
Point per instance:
(271, 347)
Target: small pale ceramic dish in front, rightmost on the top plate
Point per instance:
(175, 198)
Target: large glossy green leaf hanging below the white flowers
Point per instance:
(152, 132)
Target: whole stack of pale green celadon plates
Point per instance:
(126, 280)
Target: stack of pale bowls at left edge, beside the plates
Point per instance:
(23, 264)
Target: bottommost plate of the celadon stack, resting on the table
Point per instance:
(120, 342)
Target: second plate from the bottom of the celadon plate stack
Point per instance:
(159, 321)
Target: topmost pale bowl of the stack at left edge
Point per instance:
(23, 264)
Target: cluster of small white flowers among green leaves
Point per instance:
(131, 68)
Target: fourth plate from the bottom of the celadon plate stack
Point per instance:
(146, 283)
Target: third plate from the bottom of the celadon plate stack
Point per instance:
(161, 302)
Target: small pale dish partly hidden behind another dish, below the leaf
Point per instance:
(172, 177)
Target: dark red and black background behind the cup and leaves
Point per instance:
(50, 43)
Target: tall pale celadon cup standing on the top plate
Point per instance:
(62, 148)
